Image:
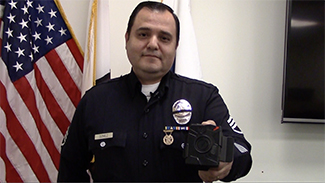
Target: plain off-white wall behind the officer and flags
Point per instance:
(241, 46)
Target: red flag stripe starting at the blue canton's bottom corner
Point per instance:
(28, 96)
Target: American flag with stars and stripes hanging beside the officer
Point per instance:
(40, 82)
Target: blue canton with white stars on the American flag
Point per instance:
(30, 30)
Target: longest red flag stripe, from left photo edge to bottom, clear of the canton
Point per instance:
(22, 140)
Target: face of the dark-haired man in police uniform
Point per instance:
(151, 45)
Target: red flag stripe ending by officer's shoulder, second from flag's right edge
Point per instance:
(63, 76)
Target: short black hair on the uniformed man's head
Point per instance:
(152, 5)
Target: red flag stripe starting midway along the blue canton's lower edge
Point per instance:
(53, 107)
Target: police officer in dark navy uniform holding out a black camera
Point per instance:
(134, 128)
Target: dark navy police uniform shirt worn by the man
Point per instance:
(116, 125)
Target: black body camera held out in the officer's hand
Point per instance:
(206, 146)
